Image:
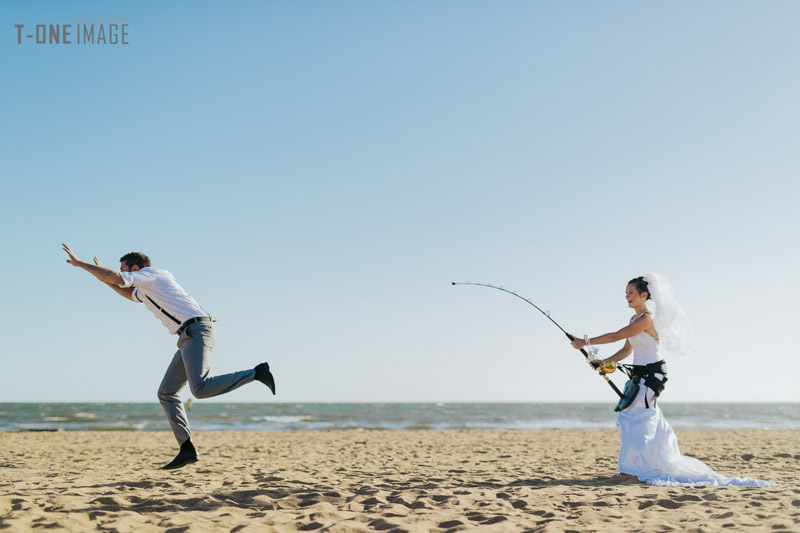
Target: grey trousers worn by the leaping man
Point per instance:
(191, 363)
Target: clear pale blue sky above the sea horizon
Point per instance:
(316, 174)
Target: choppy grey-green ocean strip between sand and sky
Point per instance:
(211, 416)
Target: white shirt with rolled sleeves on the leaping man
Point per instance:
(159, 286)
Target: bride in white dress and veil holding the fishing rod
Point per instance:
(648, 446)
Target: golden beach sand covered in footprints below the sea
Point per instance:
(342, 481)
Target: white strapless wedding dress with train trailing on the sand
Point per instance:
(649, 447)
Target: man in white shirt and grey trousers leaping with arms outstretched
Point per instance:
(160, 293)
